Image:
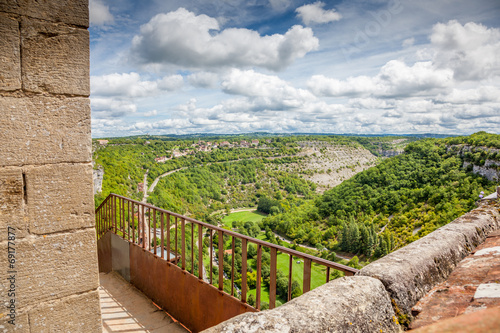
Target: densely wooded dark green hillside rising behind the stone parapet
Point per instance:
(396, 202)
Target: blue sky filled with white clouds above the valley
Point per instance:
(284, 66)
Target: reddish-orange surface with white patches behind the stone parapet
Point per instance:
(471, 295)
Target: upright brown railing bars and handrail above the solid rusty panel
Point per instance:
(143, 224)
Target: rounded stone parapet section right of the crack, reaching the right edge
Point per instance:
(410, 272)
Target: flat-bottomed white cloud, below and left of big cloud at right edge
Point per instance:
(395, 79)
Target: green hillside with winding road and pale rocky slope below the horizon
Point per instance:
(224, 172)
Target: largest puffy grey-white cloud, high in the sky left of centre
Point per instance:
(196, 41)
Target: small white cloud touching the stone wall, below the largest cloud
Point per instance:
(131, 85)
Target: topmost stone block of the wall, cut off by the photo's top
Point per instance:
(75, 12)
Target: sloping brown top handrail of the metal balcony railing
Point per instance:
(281, 249)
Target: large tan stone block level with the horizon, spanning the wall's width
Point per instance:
(42, 130)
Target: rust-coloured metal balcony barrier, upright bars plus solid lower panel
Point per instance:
(164, 255)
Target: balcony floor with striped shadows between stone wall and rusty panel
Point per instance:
(125, 309)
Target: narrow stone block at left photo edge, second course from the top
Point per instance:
(10, 56)
